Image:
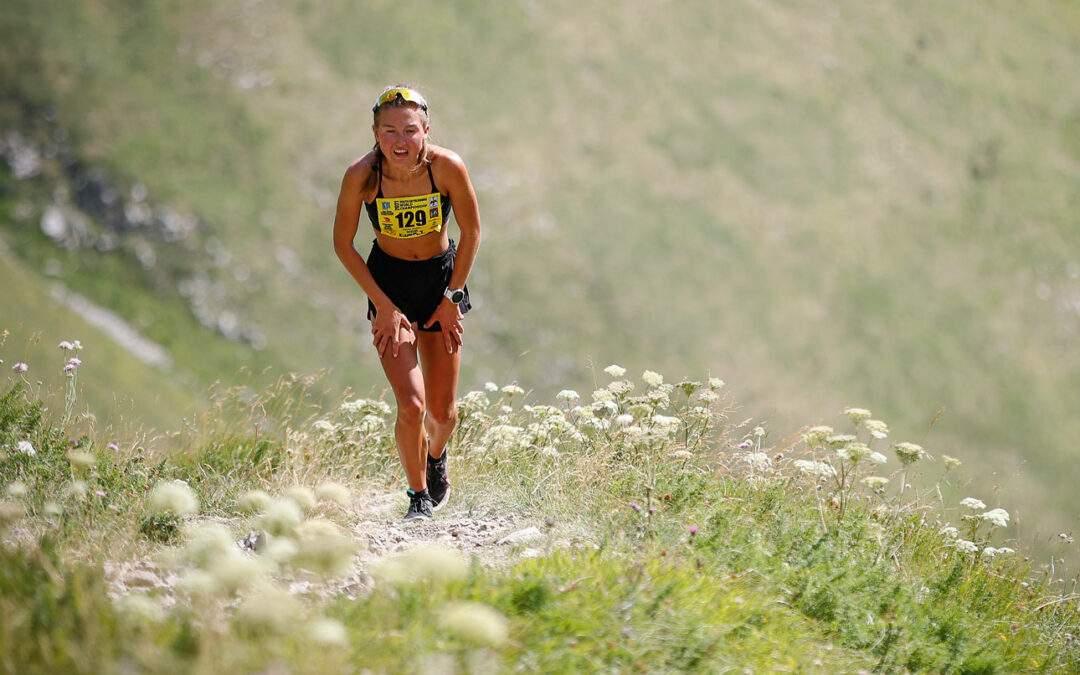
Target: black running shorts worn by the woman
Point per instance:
(415, 287)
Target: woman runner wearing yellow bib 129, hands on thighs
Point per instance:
(415, 279)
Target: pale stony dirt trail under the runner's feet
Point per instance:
(376, 524)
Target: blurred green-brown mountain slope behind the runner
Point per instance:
(825, 204)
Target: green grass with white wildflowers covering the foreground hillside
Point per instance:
(672, 544)
